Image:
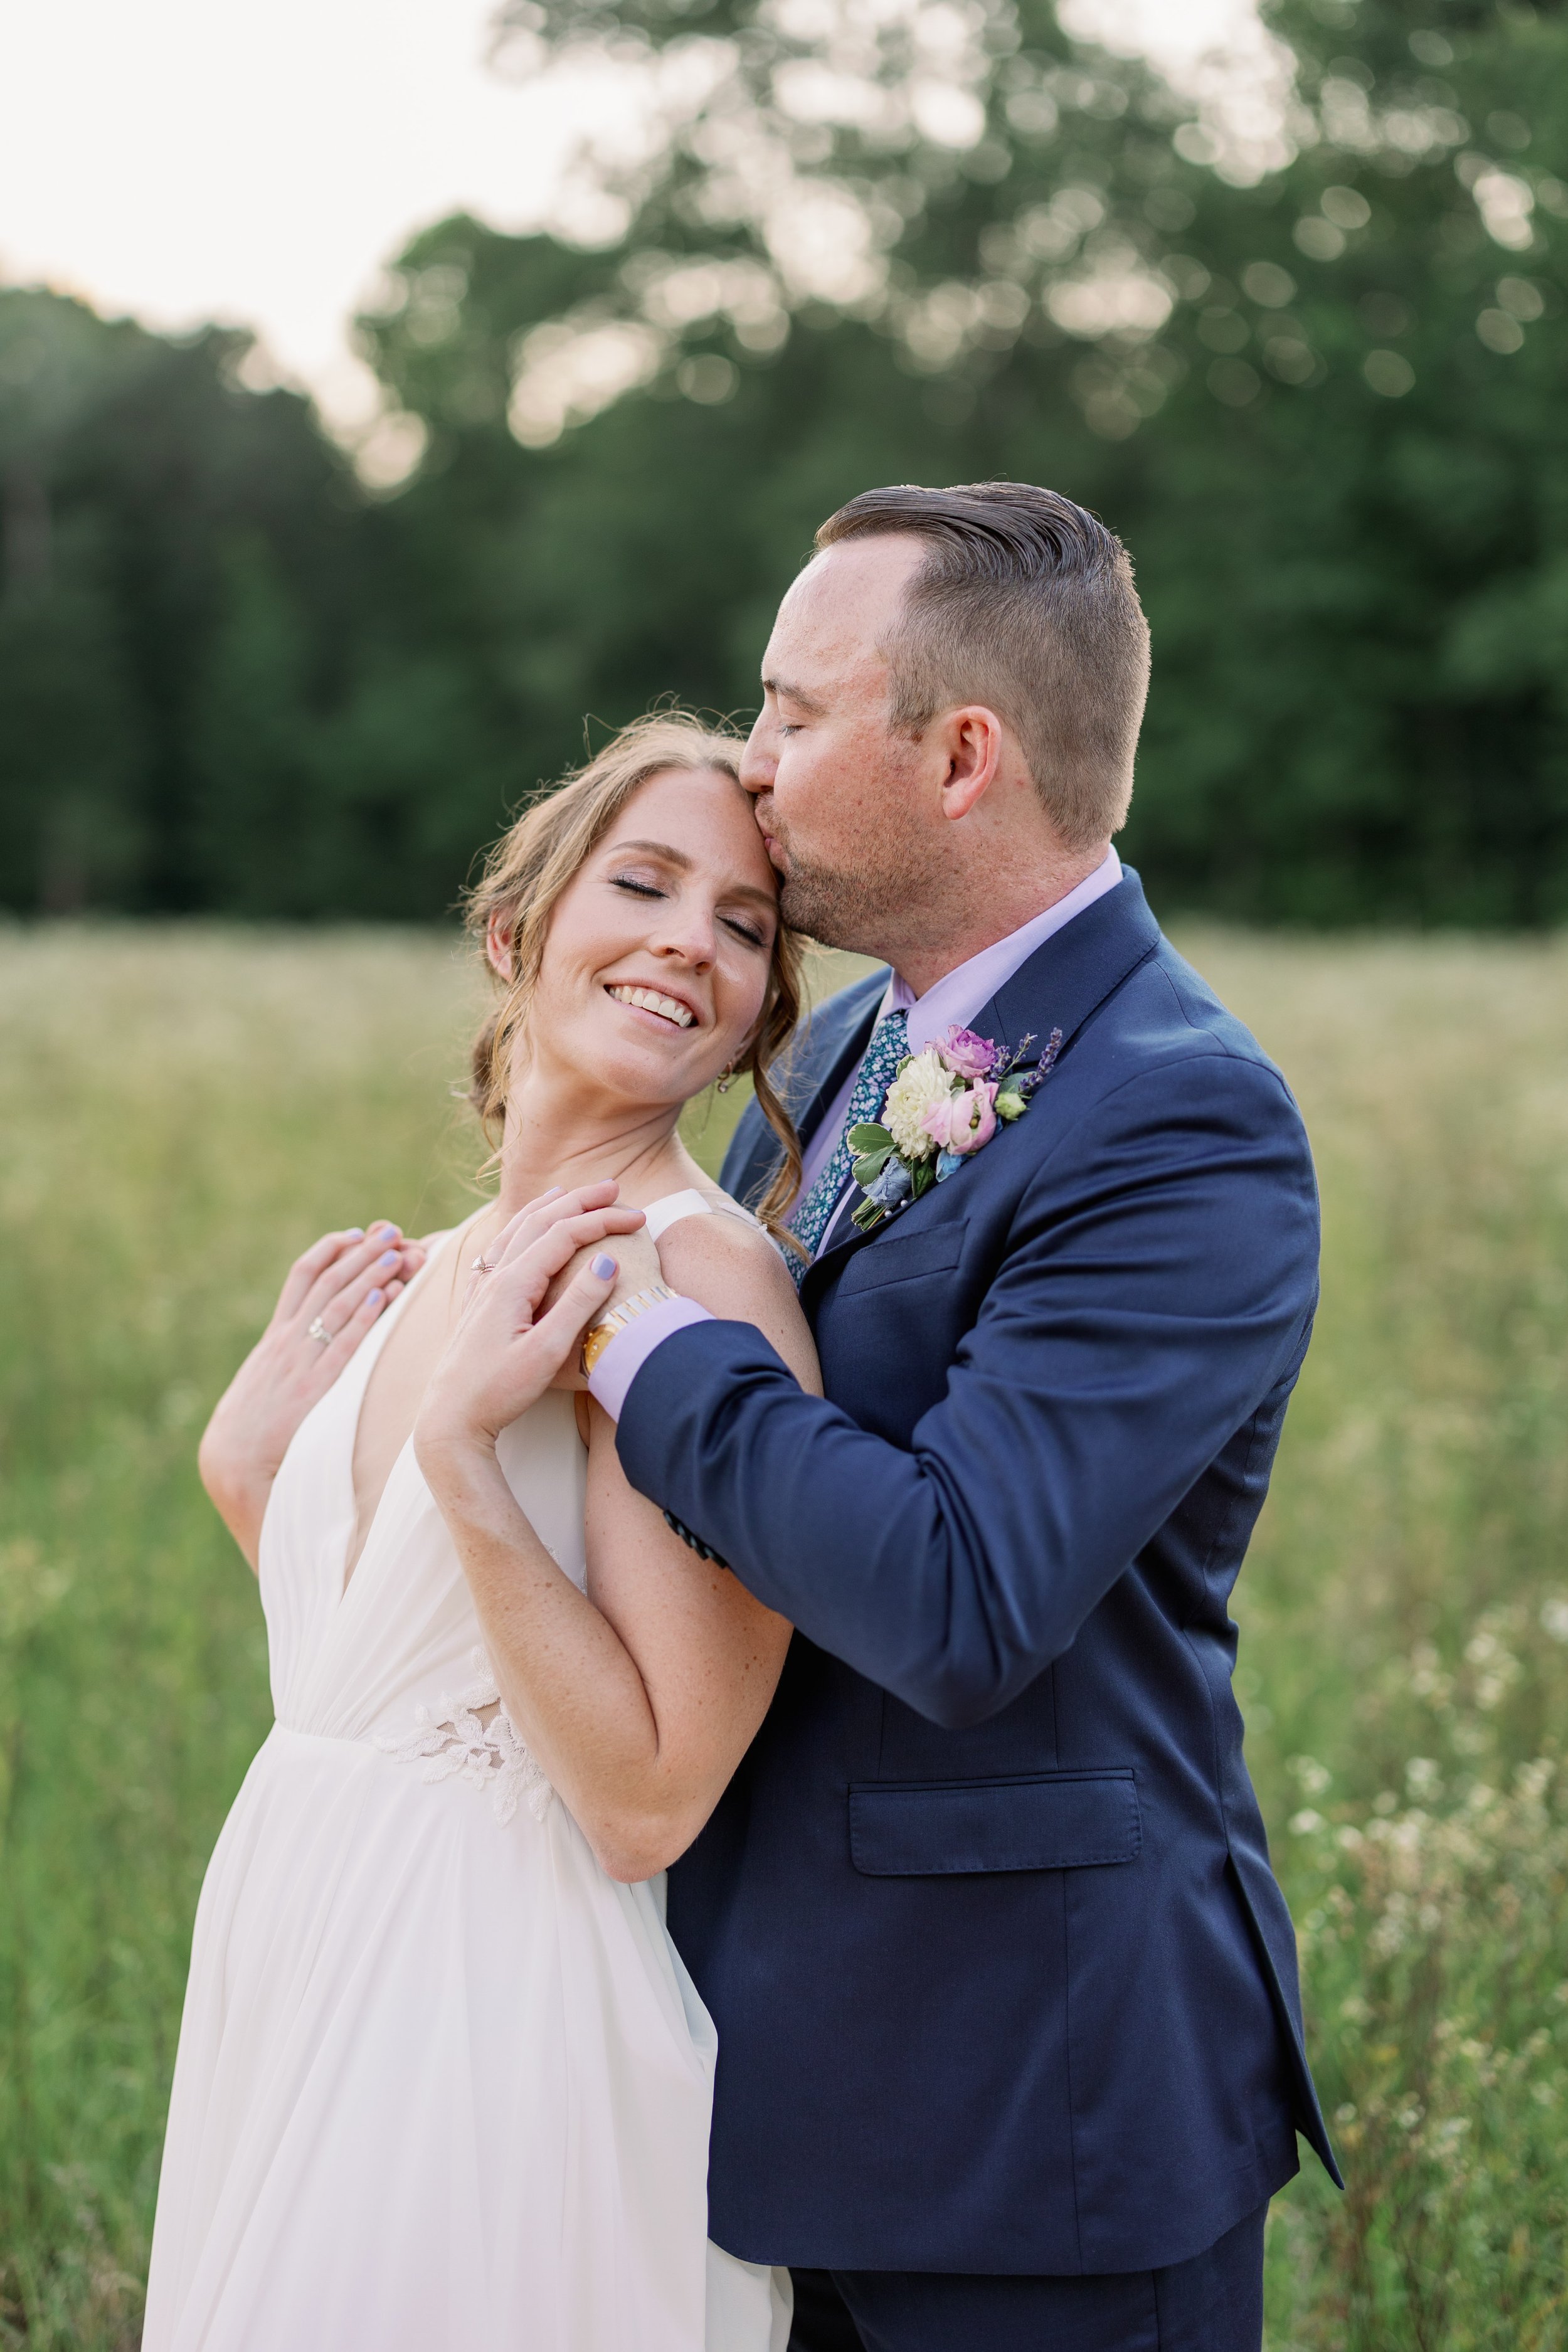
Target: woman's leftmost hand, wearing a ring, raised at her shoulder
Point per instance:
(330, 1299)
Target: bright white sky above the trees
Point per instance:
(196, 159)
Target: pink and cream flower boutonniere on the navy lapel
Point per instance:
(942, 1109)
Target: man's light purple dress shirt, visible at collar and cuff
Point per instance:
(949, 1003)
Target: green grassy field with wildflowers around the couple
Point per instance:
(182, 1109)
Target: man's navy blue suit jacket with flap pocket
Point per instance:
(986, 1918)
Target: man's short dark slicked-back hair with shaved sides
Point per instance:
(1024, 603)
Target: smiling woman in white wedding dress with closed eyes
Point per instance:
(443, 2080)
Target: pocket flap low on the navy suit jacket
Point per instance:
(944, 1829)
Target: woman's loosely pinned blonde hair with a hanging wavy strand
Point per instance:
(535, 862)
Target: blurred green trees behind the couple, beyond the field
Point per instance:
(1311, 366)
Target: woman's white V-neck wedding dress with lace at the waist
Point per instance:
(441, 2080)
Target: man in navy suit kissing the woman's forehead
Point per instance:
(1010, 2026)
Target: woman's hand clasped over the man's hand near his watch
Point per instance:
(514, 1337)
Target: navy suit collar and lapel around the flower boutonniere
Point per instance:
(1059, 987)
